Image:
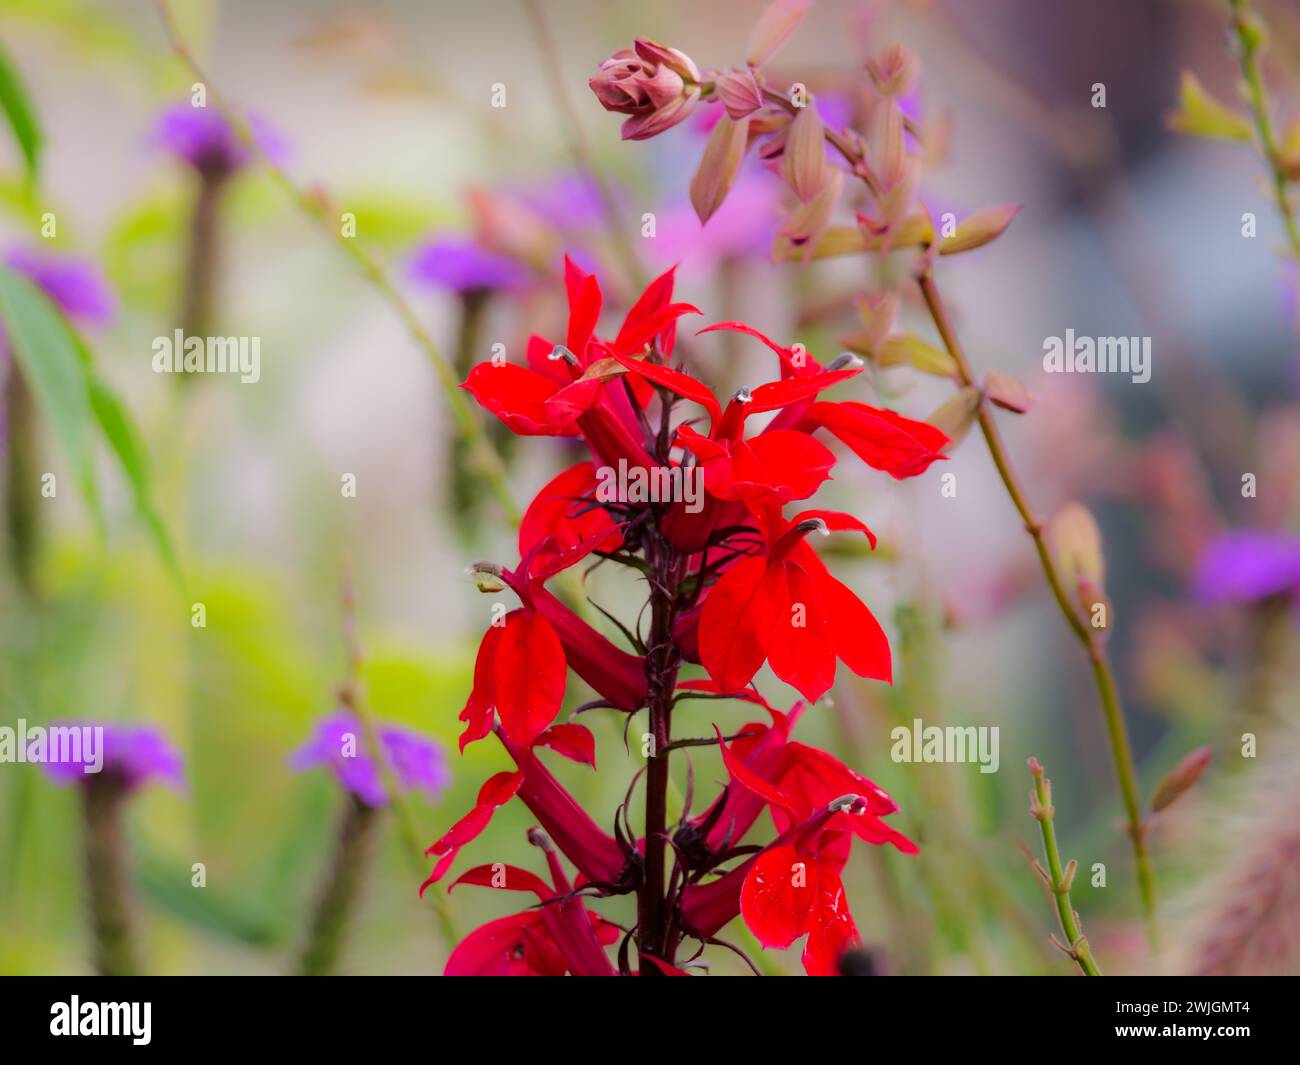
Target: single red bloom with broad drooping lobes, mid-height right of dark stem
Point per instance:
(783, 607)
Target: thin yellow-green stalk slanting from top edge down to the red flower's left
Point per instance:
(318, 207)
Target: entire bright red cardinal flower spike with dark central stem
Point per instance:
(734, 585)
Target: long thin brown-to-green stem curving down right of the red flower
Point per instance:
(1103, 674)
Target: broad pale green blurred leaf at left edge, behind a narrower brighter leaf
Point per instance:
(51, 363)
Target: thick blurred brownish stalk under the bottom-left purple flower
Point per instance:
(109, 882)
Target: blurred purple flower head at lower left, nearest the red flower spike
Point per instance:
(418, 761)
